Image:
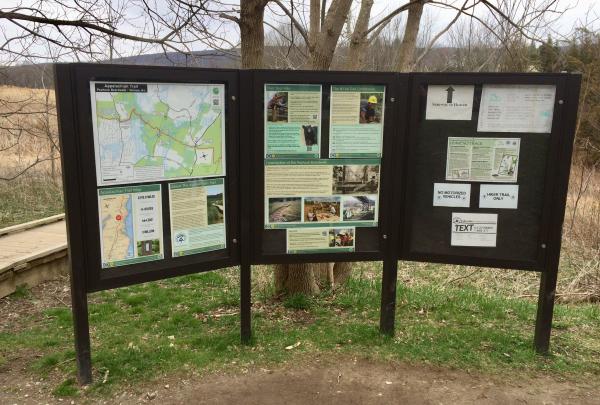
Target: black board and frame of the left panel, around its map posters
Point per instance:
(80, 185)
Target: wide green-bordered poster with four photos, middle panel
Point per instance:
(314, 193)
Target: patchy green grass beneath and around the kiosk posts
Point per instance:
(191, 323)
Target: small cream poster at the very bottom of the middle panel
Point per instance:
(321, 240)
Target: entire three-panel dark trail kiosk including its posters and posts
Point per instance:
(172, 171)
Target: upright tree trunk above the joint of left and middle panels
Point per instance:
(252, 33)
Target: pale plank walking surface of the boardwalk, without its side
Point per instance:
(15, 247)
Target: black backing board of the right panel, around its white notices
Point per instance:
(522, 233)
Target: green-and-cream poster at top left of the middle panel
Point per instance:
(292, 121)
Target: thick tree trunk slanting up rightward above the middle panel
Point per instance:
(327, 39)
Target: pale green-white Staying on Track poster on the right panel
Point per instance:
(483, 159)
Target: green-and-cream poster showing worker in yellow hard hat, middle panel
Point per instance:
(356, 121)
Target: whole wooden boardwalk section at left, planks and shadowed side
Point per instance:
(32, 252)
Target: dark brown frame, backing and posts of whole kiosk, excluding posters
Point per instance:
(409, 228)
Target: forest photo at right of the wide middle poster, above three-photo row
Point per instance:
(356, 179)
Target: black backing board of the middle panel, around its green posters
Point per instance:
(372, 243)
